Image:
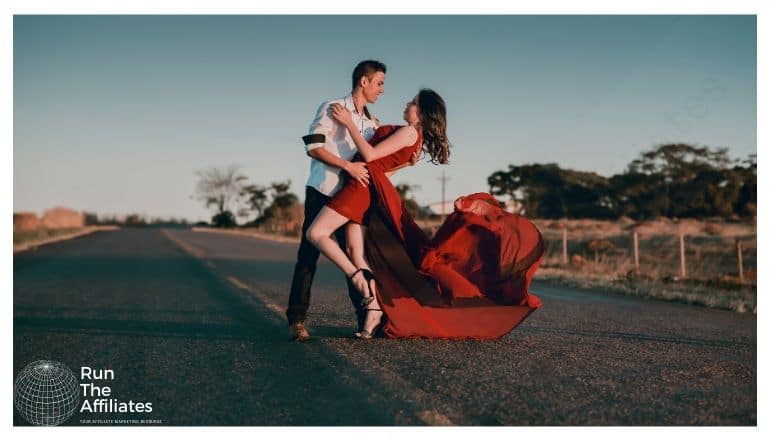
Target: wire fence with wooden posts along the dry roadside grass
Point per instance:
(662, 249)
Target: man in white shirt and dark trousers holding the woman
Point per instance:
(331, 149)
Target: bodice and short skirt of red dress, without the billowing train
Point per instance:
(353, 200)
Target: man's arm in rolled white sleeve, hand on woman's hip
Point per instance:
(320, 129)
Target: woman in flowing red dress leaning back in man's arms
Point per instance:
(470, 281)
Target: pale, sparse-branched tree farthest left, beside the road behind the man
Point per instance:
(223, 190)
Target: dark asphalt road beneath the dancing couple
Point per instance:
(193, 323)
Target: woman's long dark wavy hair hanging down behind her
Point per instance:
(433, 121)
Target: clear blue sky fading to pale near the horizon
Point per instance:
(114, 114)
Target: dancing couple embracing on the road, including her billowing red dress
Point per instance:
(470, 280)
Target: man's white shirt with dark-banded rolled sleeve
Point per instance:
(326, 132)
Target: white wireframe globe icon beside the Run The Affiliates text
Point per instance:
(46, 393)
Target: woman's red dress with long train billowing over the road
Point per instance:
(471, 280)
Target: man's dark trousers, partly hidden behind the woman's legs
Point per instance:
(307, 258)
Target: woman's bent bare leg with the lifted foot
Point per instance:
(320, 235)
